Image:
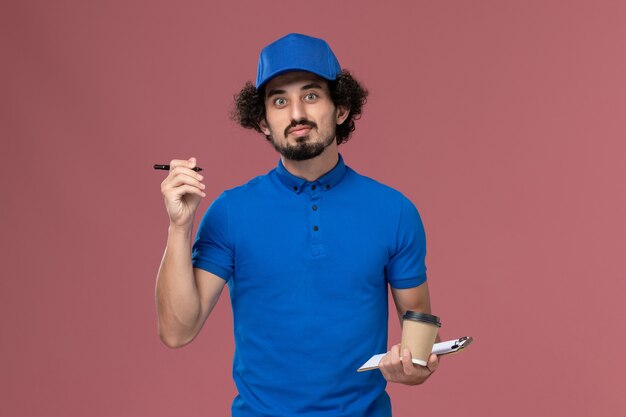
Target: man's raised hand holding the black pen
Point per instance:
(182, 190)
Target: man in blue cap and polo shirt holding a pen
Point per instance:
(307, 250)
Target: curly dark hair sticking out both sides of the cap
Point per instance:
(345, 91)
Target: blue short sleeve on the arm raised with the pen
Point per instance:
(213, 248)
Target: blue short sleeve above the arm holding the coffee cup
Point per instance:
(407, 267)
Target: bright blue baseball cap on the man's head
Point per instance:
(296, 52)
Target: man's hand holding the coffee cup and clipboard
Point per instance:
(400, 368)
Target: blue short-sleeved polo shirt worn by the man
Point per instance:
(307, 265)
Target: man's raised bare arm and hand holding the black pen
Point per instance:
(184, 296)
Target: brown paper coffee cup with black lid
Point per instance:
(419, 331)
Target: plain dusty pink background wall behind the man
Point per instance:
(502, 121)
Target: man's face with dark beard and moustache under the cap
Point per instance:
(300, 116)
